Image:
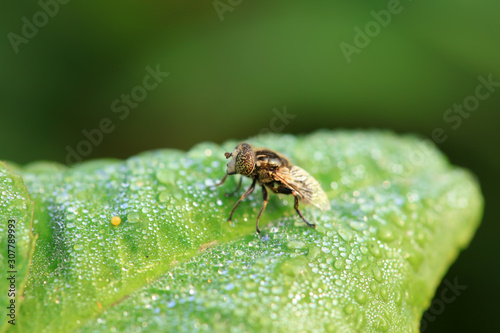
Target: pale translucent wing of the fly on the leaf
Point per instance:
(307, 188)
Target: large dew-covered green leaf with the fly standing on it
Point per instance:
(400, 214)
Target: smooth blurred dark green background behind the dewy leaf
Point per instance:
(231, 63)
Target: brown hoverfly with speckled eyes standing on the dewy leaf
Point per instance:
(274, 171)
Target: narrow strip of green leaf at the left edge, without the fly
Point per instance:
(17, 243)
